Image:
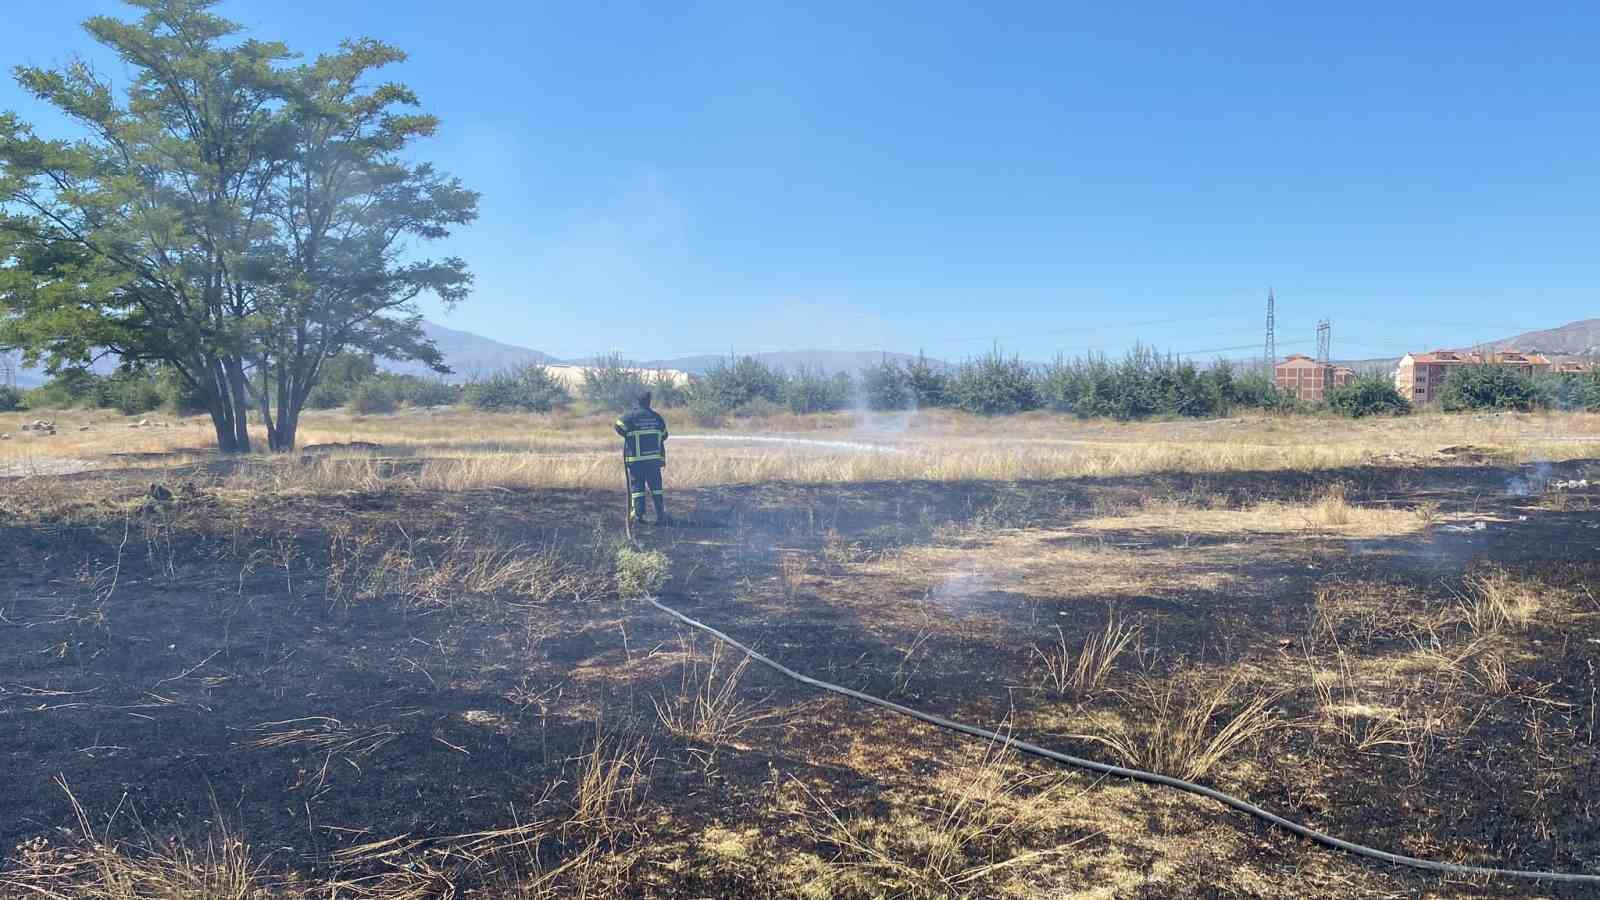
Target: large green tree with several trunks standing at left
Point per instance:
(234, 214)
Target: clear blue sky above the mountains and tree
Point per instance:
(679, 179)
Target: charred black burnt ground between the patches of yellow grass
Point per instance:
(148, 705)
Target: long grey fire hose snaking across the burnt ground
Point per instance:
(1138, 776)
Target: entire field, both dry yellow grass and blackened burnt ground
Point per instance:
(422, 670)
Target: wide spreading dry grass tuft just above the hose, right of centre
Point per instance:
(1190, 728)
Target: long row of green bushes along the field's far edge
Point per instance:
(1142, 385)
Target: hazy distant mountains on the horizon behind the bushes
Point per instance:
(471, 355)
